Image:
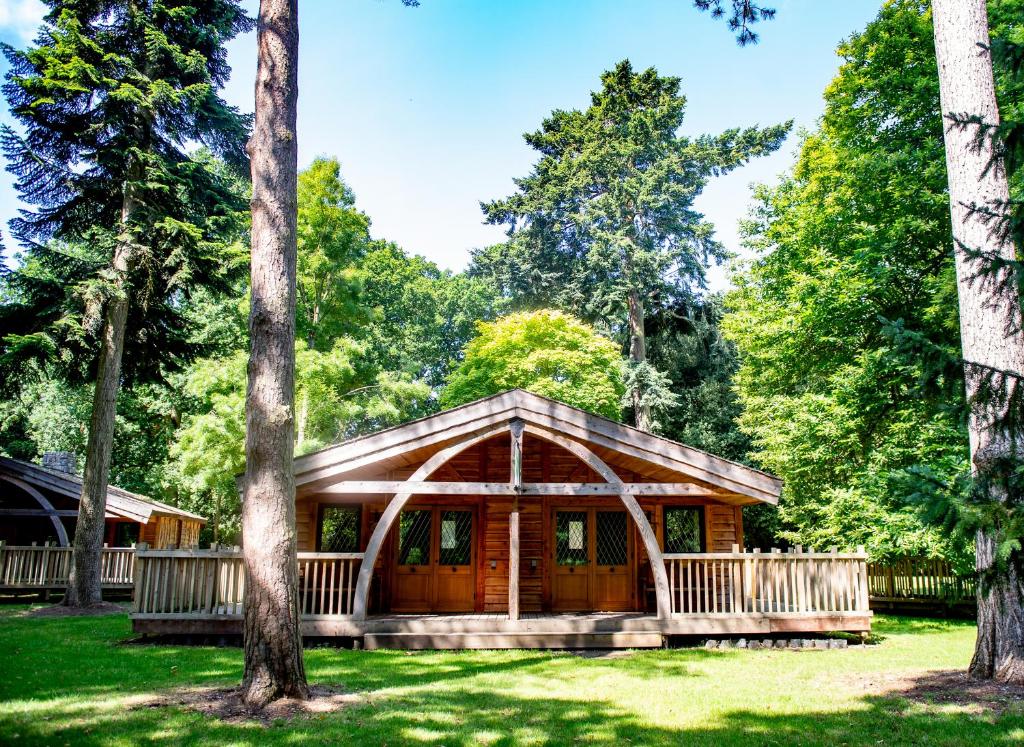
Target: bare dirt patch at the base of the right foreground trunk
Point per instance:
(953, 688)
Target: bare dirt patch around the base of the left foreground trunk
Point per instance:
(226, 704)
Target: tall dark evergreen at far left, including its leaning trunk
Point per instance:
(109, 100)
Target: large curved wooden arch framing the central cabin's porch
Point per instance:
(388, 520)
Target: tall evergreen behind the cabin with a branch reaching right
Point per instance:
(605, 226)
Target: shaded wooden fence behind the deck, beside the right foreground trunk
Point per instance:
(919, 579)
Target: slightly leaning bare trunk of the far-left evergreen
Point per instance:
(84, 588)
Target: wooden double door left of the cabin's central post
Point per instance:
(435, 561)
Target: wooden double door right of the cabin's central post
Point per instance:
(592, 564)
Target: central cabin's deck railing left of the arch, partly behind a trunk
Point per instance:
(211, 584)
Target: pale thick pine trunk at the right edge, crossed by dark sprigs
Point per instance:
(991, 330)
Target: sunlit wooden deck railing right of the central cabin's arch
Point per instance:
(793, 583)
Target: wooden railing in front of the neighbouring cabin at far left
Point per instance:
(48, 567)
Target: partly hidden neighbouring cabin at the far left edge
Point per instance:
(39, 505)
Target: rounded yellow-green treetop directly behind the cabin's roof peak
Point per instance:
(547, 353)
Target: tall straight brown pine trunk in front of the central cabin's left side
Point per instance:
(274, 666)
